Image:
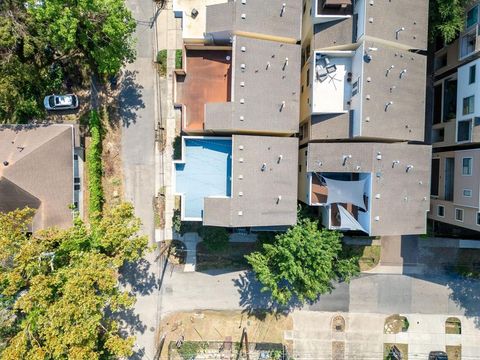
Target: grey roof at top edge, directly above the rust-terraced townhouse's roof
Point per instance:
(265, 18)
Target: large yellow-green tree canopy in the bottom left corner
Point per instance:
(59, 288)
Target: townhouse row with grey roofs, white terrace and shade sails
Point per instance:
(363, 115)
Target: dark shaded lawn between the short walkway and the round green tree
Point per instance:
(233, 257)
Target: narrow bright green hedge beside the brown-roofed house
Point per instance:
(94, 166)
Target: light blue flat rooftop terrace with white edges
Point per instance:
(205, 172)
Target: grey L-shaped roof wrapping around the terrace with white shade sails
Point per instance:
(400, 198)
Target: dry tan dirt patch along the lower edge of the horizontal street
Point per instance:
(224, 328)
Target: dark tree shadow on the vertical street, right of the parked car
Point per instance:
(130, 98)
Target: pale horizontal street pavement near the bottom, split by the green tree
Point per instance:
(382, 294)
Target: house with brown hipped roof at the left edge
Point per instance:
(40, 167)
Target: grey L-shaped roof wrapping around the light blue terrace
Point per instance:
(264, 184)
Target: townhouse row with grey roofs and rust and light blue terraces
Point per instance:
(239, 96)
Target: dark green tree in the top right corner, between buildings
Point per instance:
(447, 18)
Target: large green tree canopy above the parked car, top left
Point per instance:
(49, 45)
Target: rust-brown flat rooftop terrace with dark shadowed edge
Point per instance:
(207, 80)
